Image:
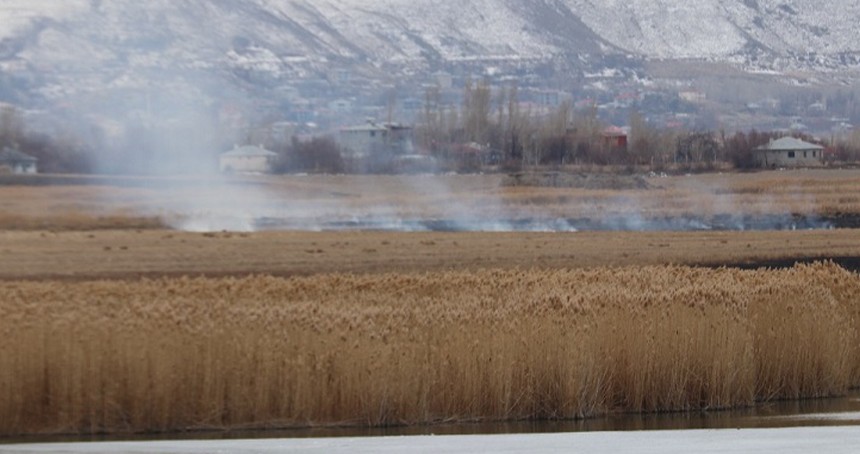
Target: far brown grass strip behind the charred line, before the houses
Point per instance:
(104, 203)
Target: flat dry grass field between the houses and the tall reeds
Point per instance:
(117, 228)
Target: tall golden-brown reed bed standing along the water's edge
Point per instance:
(196, 353)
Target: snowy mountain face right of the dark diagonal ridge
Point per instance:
(716, 28)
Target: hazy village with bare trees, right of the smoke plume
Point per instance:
(434, 122)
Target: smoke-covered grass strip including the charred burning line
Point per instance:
(797, 200)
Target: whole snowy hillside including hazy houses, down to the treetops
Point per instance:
(126, 63)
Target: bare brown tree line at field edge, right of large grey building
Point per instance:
(523, 138)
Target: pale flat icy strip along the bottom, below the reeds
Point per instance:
(834, 440)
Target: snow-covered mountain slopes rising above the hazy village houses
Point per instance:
(60, 43)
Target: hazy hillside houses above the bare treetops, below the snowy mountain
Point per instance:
(339, 98)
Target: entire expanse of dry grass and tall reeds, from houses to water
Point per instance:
(114, 319)
